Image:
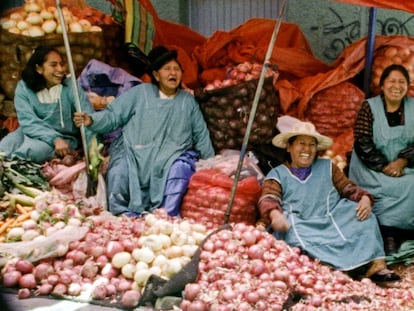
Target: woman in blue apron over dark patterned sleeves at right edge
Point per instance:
(382, 160)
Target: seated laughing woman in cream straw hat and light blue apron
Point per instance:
(311, 204)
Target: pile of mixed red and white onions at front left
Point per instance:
(113, 261)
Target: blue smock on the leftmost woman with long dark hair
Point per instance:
(40, 124)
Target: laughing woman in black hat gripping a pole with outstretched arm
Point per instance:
(163, 135)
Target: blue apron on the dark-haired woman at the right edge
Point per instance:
(394, 196)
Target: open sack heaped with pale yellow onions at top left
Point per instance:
(35, 24)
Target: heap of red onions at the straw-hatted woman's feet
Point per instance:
(248, 269)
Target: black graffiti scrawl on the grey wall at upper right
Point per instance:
(340, 32)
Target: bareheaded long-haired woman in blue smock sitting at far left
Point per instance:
(44, 102)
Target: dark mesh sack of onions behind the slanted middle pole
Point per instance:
(227, 110)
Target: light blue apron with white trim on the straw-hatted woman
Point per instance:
(323, 224)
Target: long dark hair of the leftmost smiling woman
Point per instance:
(33, 79)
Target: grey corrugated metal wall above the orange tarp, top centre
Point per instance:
(207, 16)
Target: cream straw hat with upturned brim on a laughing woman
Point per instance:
(290, 127)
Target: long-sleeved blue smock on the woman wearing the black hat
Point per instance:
(155, 132)
